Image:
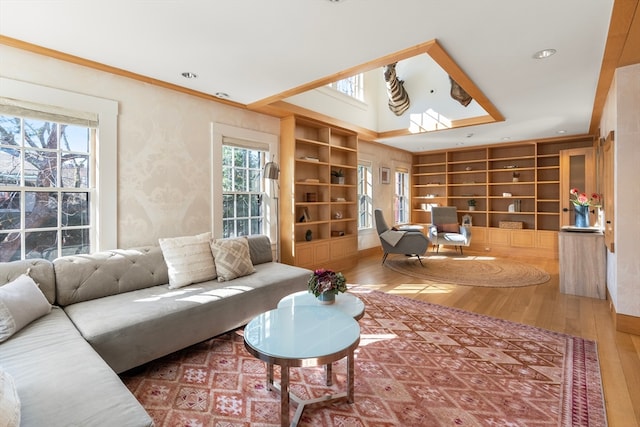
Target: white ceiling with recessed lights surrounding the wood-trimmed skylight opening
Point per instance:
(256, 49)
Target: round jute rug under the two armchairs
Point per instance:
(470, 271)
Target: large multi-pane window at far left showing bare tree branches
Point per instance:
(46, 188)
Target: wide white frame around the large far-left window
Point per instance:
(104, 207)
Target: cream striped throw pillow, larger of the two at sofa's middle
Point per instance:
(189, 259)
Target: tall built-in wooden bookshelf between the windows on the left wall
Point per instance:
(319, 213)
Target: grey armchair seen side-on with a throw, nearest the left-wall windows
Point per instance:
(399, 242)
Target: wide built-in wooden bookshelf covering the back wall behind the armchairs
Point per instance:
(515, 183)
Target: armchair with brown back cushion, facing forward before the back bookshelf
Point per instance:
(446, 230)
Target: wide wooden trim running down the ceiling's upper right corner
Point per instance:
(622, 17)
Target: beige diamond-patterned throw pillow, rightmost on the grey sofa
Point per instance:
(232, 258)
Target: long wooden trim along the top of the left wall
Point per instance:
(8, 41)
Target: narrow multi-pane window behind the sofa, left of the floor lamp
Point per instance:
(242, 191)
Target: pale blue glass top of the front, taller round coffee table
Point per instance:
(301, 332)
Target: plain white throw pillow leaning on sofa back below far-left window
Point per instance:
(21, 302)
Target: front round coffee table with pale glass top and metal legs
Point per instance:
(302, 336)
